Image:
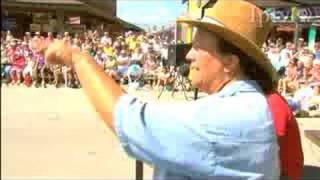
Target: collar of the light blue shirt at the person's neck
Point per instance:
(240, 86)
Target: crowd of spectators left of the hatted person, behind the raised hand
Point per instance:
(136, 58)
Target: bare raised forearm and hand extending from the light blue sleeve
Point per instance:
(103, 92)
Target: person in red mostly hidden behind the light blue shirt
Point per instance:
(287, 131)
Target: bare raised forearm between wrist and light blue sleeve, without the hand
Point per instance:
(102, 91)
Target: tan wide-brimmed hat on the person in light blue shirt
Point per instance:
(240, 23)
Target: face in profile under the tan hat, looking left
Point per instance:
(206, 66)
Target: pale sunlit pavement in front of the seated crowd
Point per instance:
(56, 134)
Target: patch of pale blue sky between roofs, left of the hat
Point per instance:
(150, 12)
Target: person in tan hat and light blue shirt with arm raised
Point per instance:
(227, 135)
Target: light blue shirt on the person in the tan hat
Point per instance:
(228, 135)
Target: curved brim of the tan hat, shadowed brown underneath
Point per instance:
(245, 45)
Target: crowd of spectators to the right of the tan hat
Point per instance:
(298, 67)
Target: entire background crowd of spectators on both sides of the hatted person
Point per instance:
(140, 59)
